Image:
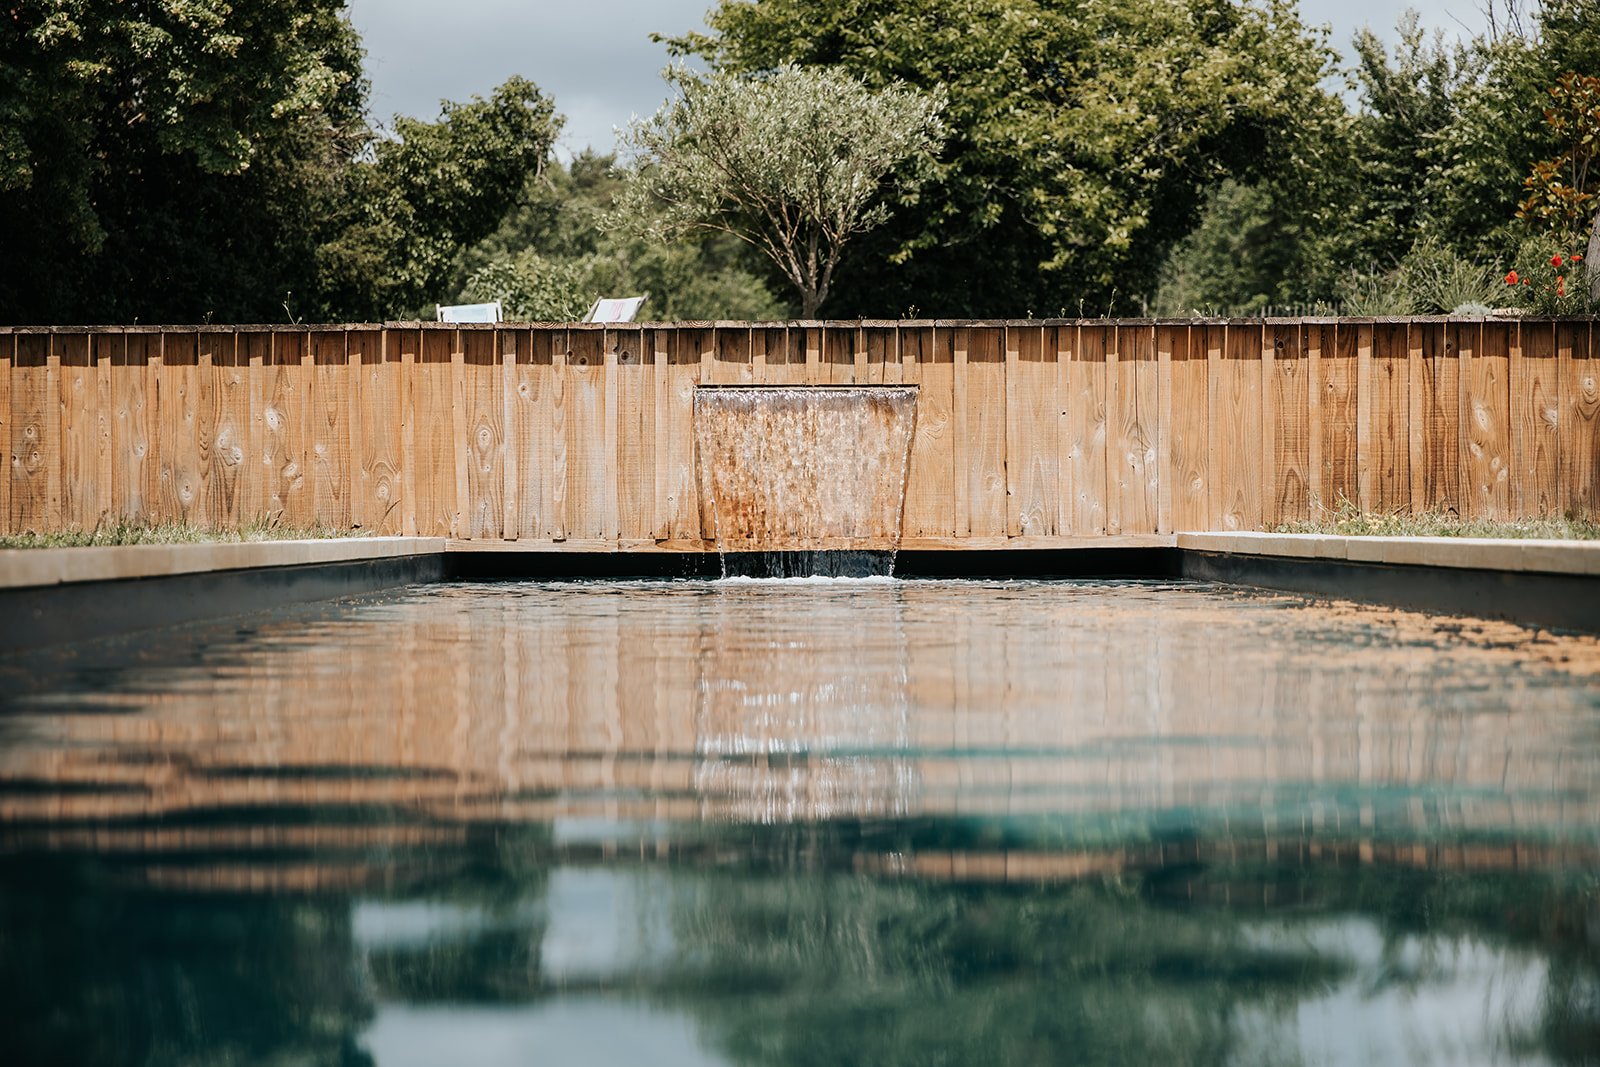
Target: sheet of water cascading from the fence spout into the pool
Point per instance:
(804, 481)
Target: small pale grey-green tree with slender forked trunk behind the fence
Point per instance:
(790, 161)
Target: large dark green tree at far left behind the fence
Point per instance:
(164, 156)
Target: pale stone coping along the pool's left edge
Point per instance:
(55, 567)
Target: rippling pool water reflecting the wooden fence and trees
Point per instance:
(806, 823)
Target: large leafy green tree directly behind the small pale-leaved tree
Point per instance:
(1084, 138)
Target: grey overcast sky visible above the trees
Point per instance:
(596, 58)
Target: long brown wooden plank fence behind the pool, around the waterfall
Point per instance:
(580, 436)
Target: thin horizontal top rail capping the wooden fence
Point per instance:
(791, 324)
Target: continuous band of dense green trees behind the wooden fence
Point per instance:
(191, 161)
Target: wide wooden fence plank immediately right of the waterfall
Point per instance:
(927, 358)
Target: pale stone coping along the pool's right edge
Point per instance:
(1481, 554)
